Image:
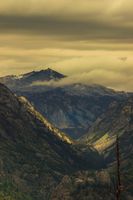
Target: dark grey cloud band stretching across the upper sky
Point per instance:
(64, 29)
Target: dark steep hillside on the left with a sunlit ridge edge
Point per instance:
(33, 154)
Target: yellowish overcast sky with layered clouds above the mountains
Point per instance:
(89, 40)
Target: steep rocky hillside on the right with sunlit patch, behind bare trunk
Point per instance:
(118, 120)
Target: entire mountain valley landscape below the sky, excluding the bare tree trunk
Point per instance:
(60, 142)
